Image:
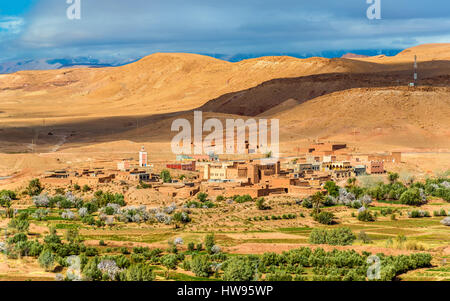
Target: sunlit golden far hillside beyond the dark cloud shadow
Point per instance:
(159, 83)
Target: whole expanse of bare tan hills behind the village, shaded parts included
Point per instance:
(365, 101)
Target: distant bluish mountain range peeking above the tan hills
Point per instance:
(89, 62)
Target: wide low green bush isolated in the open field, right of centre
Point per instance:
(338, 236)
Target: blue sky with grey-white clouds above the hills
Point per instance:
(120, 29)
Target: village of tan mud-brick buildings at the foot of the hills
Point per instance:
(302, 175)
